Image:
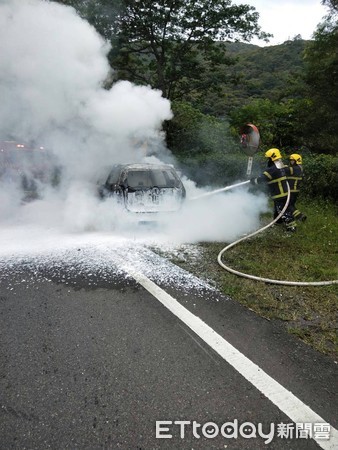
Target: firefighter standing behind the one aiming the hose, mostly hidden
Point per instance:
(294, 175)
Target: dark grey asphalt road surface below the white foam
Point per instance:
(94, 364)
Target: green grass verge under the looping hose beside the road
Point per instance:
(310, 254)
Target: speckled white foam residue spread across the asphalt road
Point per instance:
(93, 260)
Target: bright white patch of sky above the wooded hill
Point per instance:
(285, 19)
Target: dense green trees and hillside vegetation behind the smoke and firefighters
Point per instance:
(192, 52)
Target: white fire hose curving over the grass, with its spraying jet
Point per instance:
(253, 277)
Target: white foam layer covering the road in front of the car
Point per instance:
(95, 257)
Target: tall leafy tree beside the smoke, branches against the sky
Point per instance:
(171, 45)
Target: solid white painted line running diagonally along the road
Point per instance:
(287, 402)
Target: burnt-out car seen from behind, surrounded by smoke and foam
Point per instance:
(144, 188)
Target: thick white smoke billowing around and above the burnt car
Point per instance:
(53, 66)
